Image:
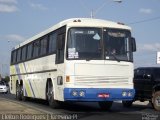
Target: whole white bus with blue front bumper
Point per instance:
(79, 59)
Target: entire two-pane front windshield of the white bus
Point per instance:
(93, 44)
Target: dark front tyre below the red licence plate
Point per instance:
(105, 105)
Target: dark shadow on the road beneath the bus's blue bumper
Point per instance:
(93, 107)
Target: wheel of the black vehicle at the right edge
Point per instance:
(156, 100)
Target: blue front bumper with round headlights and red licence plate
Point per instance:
(98, 94)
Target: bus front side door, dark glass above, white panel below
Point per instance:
(60, 67)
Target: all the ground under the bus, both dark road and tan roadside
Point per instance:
(80, 111)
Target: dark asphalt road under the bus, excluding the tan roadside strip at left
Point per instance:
(91, 111)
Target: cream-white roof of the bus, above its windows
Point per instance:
(77, 22)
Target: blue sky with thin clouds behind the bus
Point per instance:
(22, 19)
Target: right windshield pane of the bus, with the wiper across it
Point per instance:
(117, 45)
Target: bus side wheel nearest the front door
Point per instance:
(50, 97)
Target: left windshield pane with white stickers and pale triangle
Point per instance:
(84, 44)
